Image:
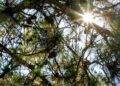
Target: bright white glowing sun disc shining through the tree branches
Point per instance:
(87, 17)
